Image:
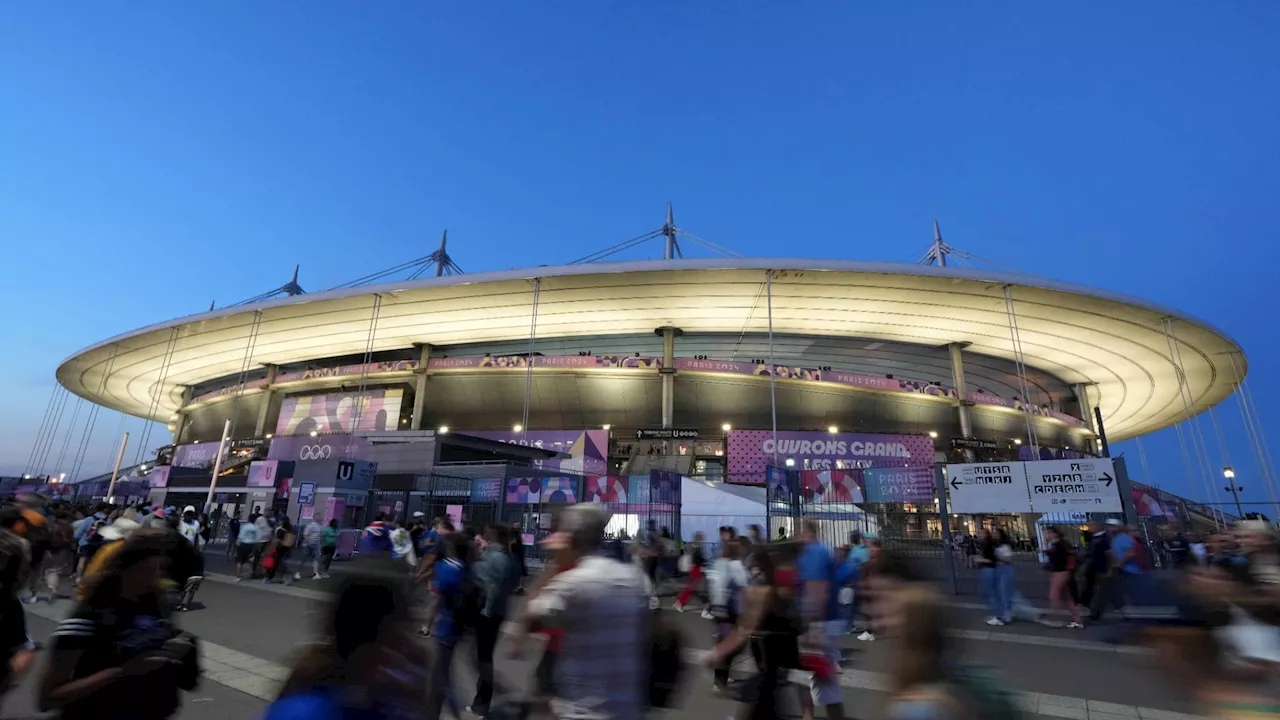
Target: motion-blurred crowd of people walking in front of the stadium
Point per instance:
(426, 600)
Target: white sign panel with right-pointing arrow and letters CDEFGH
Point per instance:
(1086, 485)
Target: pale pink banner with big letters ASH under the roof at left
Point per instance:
(340, 413)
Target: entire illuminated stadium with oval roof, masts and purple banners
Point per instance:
(708, 368)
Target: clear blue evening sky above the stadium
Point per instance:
(156, 157)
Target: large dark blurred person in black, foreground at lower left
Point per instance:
(118, 657)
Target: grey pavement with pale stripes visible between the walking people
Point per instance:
(250, 632)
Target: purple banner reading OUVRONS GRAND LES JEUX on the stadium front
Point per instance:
(752, 452)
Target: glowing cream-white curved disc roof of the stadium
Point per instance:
(1076, 334)
